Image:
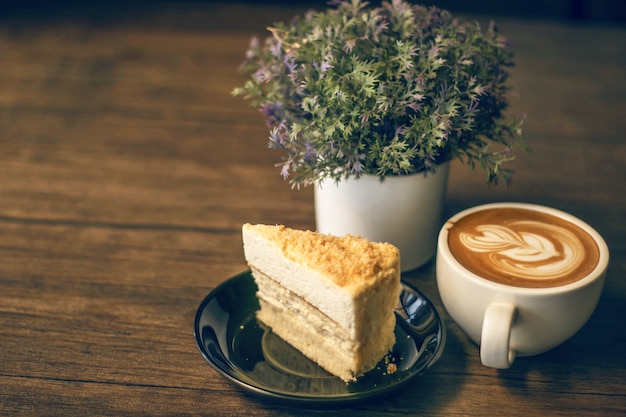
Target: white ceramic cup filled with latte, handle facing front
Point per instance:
(508, 319)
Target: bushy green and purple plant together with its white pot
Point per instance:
(356, 94)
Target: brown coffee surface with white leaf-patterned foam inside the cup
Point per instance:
(523, 248)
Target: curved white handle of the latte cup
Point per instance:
(496, 335)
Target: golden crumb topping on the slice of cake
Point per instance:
(348, 261)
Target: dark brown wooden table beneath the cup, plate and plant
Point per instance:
(127, 170)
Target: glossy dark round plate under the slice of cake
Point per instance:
(238, 347)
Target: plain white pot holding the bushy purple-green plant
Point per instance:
(402, 210)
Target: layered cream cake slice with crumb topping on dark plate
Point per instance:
(332, 298)
